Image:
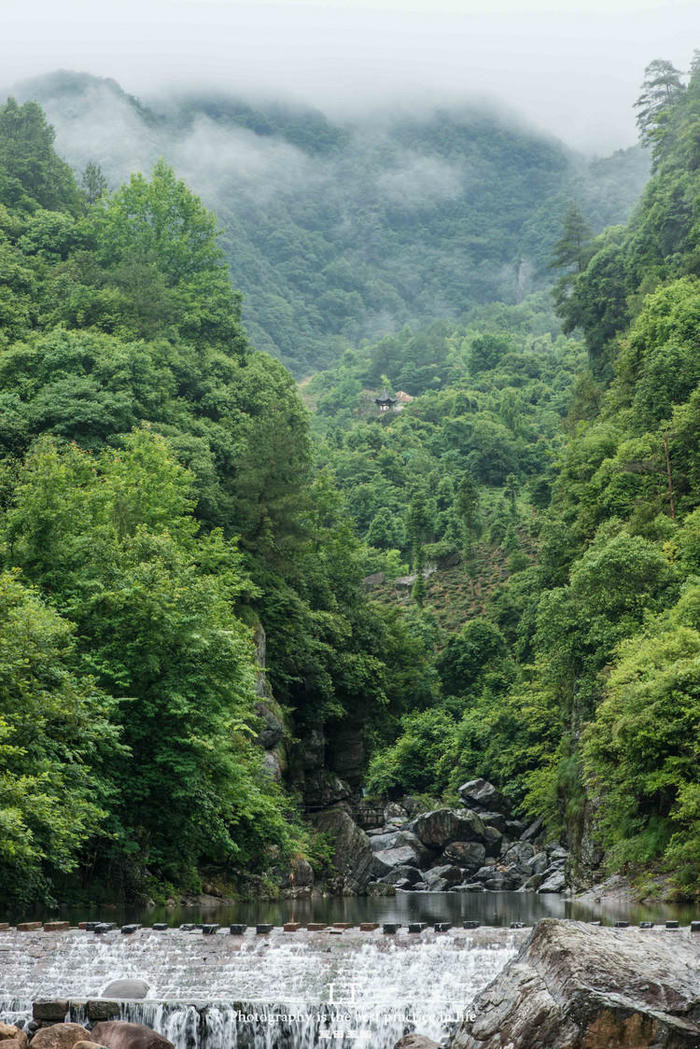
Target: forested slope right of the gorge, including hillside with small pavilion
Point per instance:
(575, 684)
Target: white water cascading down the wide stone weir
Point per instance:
(304, 991)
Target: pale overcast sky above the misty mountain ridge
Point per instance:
(574, 68)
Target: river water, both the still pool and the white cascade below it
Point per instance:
(289, 991)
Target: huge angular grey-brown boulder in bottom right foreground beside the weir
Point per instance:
(578, 987)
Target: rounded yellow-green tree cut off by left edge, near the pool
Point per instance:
(56, 746)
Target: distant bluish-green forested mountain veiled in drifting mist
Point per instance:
(340, 232)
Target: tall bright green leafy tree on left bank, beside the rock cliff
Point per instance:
(112, 539)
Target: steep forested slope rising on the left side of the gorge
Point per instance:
(158, 503)
